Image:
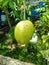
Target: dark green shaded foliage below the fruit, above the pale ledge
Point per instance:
(29, 53)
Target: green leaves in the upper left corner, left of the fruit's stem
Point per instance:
(12, 8)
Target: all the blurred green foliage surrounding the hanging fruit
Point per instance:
(34, 52)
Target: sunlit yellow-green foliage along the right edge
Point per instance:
(42, 30)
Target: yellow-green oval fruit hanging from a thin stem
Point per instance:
(23, 32)
